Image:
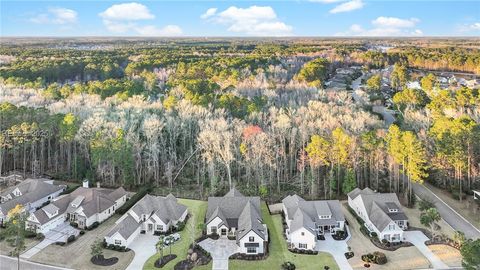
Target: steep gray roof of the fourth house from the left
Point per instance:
(237, 211)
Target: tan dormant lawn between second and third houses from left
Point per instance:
(76, 255)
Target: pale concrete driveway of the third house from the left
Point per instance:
(144, 247)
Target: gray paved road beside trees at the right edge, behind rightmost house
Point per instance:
(448, 214)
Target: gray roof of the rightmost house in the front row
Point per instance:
(377, 205)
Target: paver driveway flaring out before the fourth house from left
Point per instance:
(220, 250)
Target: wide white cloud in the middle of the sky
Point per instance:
(253, 21)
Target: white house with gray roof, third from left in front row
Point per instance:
(151, 215)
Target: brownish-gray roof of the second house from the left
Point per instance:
(92, 200)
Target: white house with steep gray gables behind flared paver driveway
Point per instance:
(239, 217)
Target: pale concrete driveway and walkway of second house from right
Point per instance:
(337, 249)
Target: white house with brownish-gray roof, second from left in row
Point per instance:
(83, 207)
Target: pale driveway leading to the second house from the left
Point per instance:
(58, 234)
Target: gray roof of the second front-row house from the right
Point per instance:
(306, 214)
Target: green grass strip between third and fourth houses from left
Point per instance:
(197, 210)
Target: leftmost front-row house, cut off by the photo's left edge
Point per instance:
(30, 193)
